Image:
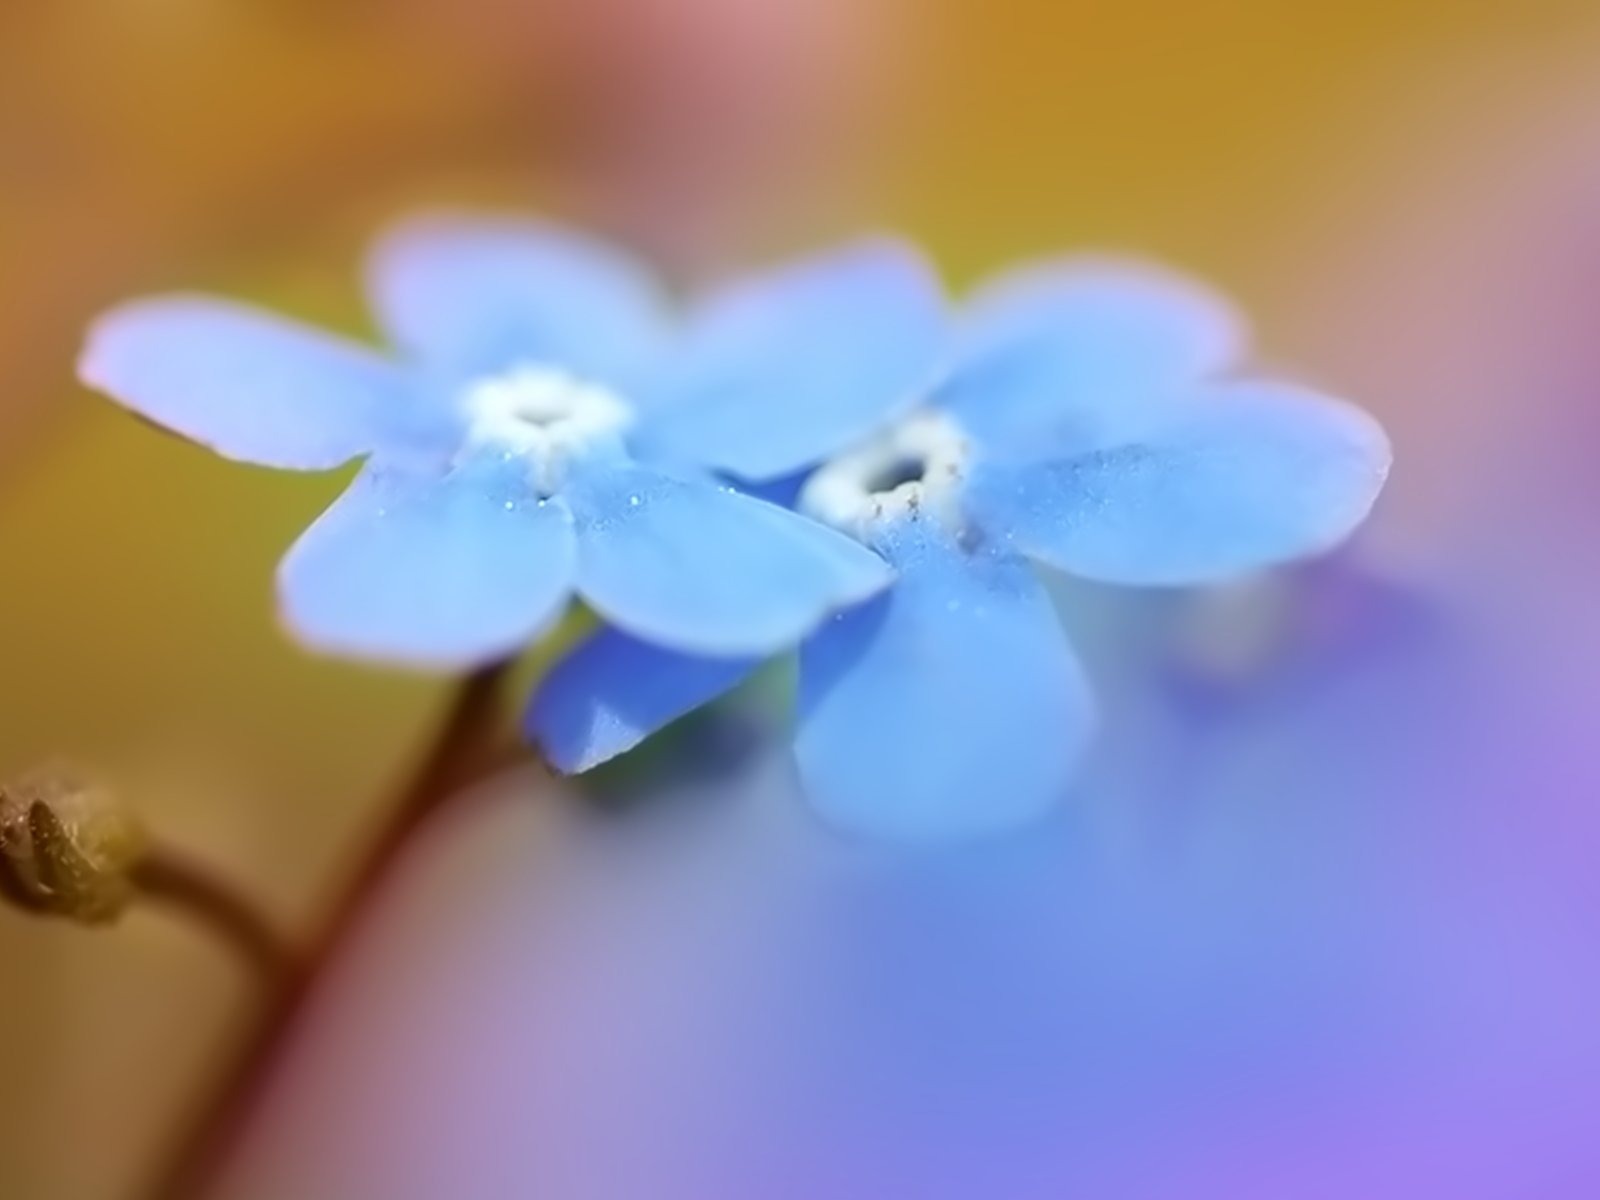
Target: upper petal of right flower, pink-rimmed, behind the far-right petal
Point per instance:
(1073, 350)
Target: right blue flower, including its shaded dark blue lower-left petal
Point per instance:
(1089, 417)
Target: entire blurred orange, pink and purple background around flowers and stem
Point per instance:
(1348, 956)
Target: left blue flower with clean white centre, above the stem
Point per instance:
(500, 471)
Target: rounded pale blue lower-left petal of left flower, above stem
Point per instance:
(431, 572)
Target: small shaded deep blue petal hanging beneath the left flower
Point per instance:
(614, 692)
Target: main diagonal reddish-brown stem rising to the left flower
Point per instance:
(465, 750)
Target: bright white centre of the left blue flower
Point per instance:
(545, 417)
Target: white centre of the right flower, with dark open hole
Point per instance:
(914, 468)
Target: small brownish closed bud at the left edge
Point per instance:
(68, 847)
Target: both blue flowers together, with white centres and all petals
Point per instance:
(546, 430)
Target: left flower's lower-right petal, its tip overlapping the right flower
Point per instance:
(697, 567)
